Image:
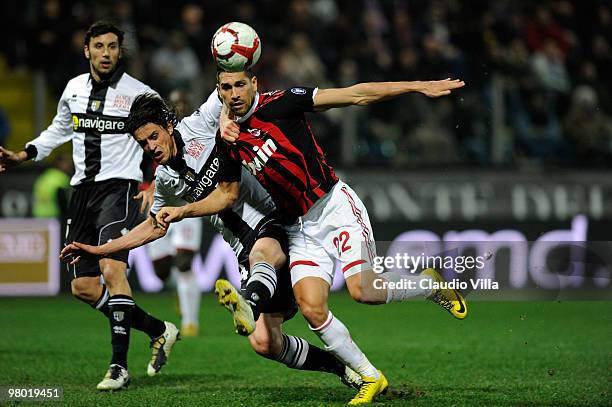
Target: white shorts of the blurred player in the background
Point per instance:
(185, 235)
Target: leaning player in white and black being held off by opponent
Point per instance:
(189, 169)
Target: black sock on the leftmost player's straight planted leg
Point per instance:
(121, 308)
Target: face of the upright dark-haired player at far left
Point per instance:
(103, 53)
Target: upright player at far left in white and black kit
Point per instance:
(91, 113)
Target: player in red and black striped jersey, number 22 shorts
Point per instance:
(325, 220)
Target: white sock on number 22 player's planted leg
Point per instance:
(338, 342)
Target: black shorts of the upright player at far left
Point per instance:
(100, 212)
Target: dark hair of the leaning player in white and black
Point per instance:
(149, 108)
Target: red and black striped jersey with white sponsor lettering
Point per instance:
(277, 146)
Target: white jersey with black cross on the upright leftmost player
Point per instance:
(93, 116)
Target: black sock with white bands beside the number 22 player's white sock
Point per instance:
(299, 354)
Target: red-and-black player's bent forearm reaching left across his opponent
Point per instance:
(223, 197)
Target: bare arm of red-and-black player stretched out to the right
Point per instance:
(363, 94)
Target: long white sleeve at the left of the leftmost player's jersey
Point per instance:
(58, 132)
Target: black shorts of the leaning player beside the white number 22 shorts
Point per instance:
(283, 300)
